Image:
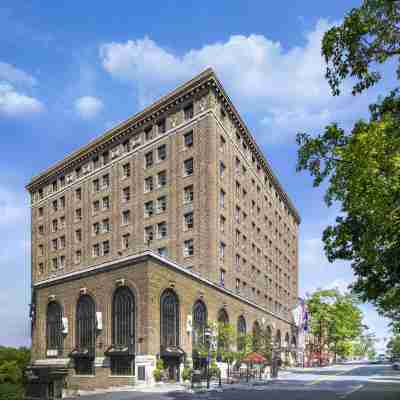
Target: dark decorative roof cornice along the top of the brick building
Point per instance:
(151, 113)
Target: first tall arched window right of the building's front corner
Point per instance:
(169, 319)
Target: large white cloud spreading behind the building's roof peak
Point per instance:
(285, 88)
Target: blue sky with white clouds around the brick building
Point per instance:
(71, 70)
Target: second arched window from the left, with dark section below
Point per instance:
(85, 335)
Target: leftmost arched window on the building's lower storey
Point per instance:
(54, 329)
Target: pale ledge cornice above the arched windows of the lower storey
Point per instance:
(145, 256)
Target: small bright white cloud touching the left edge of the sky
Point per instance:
(14, 103)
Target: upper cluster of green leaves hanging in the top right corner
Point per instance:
(368, 36)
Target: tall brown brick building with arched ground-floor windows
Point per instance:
(169, 220)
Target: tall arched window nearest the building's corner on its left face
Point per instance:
(123, 332)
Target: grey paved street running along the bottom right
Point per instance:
(352, 382)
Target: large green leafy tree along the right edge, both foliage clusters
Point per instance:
(361, 166)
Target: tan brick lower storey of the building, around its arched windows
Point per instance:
(148, 276)
